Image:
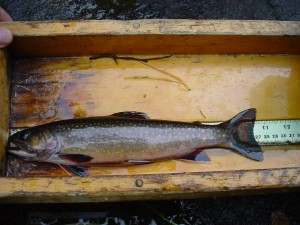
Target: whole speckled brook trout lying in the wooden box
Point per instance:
(131, 137)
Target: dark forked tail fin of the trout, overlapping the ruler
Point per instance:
(242, 137)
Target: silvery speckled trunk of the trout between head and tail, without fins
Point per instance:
(144, 139)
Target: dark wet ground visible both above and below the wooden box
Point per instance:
(282, 208)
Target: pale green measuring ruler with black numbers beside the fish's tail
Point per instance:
(277, 132)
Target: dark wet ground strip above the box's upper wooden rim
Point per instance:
(150, 9)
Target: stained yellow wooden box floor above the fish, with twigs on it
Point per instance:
(44, 90)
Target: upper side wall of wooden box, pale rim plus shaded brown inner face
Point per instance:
(154, 37)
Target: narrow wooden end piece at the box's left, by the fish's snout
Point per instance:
(4, 106)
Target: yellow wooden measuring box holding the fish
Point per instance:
(226, 66)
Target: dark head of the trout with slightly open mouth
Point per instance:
(34, 143)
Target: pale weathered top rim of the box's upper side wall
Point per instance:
(156, 26)
